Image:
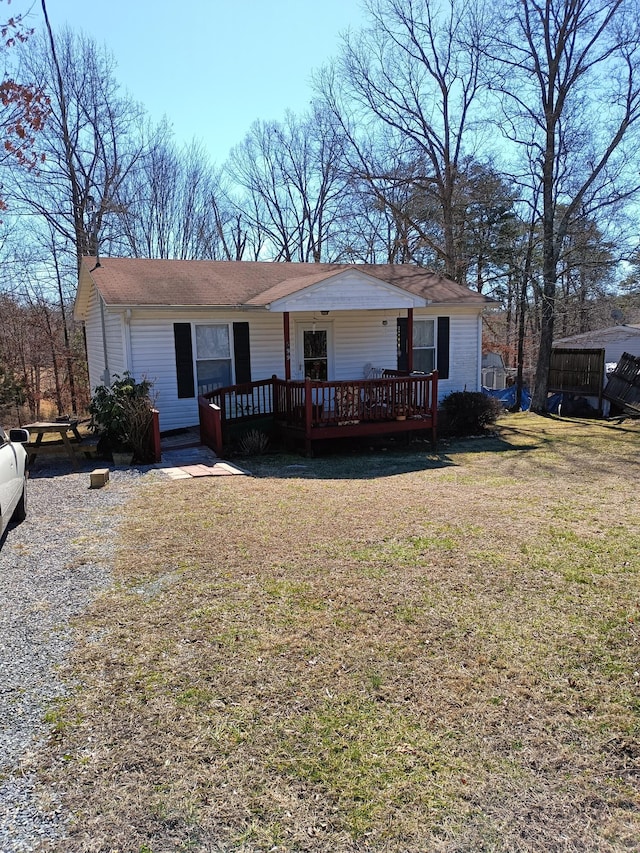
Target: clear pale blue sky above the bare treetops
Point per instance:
(213, 66)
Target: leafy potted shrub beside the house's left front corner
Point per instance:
(122, 413)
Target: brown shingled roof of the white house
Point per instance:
(130, 282)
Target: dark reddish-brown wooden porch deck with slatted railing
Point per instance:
(308, 411)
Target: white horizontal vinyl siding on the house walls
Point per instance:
(360, 339)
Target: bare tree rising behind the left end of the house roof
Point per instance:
(90, 143)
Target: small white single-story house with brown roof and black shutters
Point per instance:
(191, 326)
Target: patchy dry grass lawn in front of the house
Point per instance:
(396, 651)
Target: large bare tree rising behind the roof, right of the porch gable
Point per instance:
(408, 84)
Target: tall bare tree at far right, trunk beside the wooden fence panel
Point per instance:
(568, 73)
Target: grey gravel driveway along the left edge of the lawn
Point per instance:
(50, 567)
